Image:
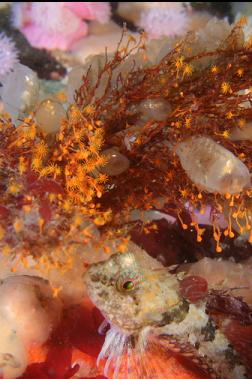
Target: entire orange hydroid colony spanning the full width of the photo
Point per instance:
(55, 191)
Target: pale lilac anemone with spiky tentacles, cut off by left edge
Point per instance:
(8, 55)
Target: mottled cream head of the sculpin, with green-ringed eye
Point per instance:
(132, 296)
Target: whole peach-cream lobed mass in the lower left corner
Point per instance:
(28, 314)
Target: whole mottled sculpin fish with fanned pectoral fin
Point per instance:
(145, 308)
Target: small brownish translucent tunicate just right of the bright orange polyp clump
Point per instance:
(116, 162)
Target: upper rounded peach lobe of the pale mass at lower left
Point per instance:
(28, 305)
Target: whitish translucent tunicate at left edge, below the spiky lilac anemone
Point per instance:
(20, 90)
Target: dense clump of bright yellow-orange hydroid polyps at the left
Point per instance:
(42, 187)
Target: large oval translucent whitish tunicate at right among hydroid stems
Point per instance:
(212, 167)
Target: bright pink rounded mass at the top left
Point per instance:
(52, 25)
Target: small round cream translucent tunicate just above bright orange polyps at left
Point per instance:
(49, 115)
